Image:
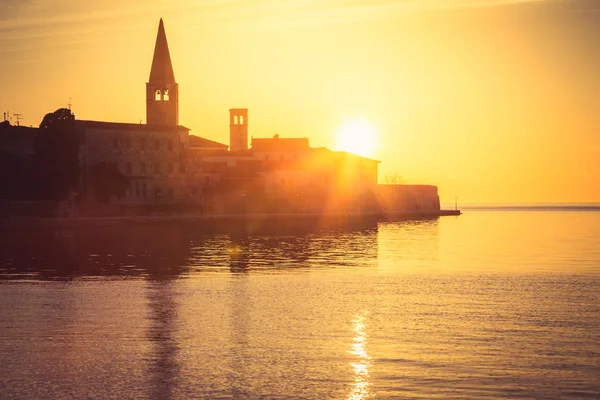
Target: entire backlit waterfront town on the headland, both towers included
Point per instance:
(71, 168)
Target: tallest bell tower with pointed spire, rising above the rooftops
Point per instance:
(162, 92)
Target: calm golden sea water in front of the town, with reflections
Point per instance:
(491, 304)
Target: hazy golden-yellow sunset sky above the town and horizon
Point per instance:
(490, 100)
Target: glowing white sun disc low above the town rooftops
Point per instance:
(357, 136)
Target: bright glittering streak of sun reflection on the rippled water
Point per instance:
(360, 388)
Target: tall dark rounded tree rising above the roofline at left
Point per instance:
(56, 155)
